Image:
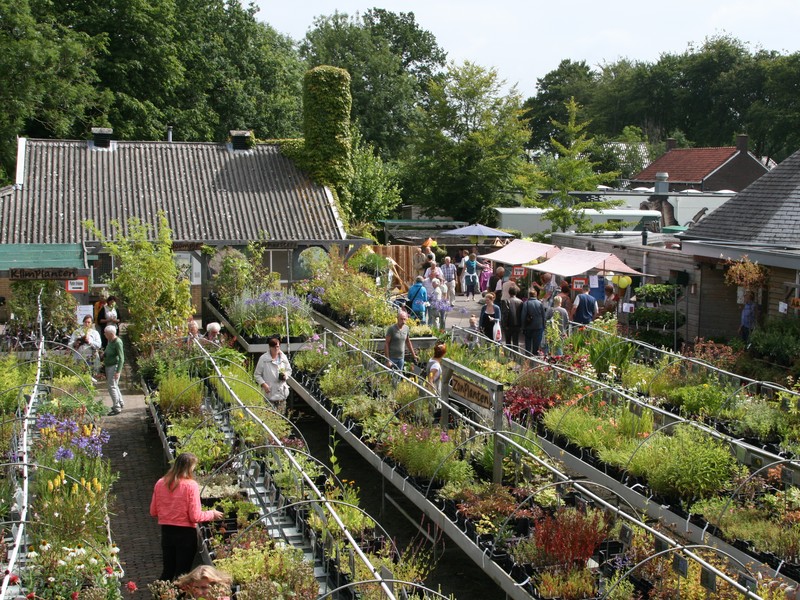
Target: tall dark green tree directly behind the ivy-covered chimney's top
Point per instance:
(391, 61)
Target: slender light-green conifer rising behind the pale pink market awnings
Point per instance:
(572, 170)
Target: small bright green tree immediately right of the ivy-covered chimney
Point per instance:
(374, 190)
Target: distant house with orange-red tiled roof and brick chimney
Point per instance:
(704, 169)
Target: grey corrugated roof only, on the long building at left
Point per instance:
(209, 193)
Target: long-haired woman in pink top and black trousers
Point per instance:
(176, 505)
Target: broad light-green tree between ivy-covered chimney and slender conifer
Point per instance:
(466, 150)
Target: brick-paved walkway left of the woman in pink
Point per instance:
(137, 457)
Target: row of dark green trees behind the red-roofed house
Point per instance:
(711, 92)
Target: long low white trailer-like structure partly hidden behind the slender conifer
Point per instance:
(529, 220)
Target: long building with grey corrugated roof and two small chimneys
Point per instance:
(212, 194)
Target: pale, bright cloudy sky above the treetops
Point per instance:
(526, 39)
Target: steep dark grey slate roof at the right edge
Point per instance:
(766, 212)
